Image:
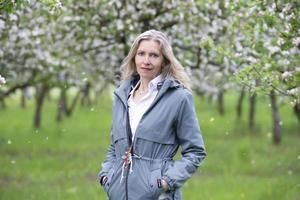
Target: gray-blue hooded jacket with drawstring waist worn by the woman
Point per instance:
(169, 122)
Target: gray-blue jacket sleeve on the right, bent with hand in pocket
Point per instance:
(192, 145)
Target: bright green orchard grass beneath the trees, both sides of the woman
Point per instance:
(61, 160)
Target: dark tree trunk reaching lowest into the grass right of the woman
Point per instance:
(276, 119)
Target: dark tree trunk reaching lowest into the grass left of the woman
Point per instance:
(40, 96)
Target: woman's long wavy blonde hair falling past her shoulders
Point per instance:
(171, 67)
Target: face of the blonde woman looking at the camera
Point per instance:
(148, 59)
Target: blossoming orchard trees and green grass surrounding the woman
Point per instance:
(55, 55)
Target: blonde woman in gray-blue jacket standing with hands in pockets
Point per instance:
(153, 114)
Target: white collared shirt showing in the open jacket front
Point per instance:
(137, 109)
